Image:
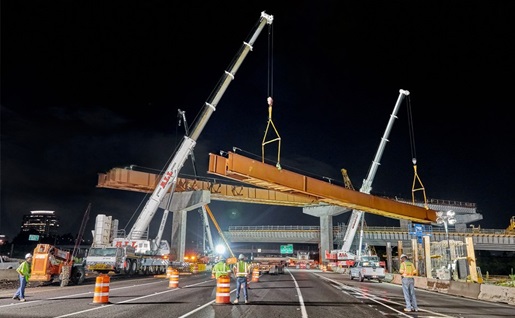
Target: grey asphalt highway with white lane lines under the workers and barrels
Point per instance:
(296, 293)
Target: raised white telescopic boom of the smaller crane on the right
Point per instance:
(366, 187)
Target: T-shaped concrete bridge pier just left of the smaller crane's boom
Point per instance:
(325, 213)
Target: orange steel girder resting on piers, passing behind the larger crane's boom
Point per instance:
(132, 180)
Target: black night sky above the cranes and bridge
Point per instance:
(87, 86)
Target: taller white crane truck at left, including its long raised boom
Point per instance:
(133, 253)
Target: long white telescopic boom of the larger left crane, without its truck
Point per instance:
(169, 178)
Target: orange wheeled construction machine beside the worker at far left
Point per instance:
(51, 264)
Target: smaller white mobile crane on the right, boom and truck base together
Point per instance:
(344, 256)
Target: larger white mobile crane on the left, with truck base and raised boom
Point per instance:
(133, 242)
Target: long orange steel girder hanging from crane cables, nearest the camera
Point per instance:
(260, 174)
